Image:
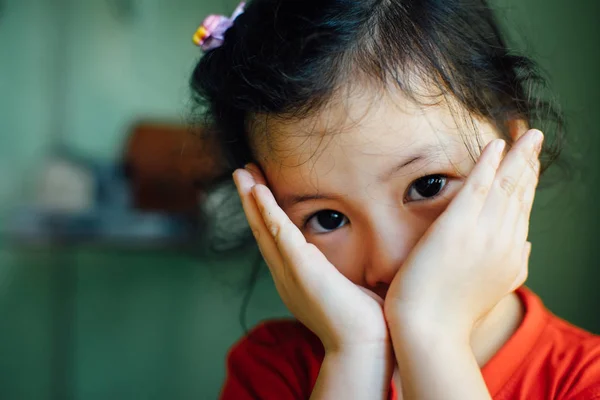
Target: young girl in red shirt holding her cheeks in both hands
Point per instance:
(384, 158)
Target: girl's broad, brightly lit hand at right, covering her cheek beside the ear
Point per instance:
(476, 252)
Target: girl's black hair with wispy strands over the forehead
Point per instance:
(287, 58)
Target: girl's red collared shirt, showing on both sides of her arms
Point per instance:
(546, 358)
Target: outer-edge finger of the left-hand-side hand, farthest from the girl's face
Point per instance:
(244, 182)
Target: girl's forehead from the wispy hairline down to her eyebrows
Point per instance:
(360, 133)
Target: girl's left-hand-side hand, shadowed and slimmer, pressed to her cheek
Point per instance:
(343, 315)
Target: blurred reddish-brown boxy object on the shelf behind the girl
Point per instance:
(167, 166)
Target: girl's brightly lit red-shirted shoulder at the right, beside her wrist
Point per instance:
(547, 358)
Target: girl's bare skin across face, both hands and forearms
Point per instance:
(422, 286)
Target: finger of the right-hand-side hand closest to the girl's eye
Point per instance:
(472, 196)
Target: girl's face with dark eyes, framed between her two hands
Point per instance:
(365, 178)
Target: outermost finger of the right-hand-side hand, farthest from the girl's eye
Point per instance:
(508, 181)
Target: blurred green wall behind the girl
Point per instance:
(95, 322)
